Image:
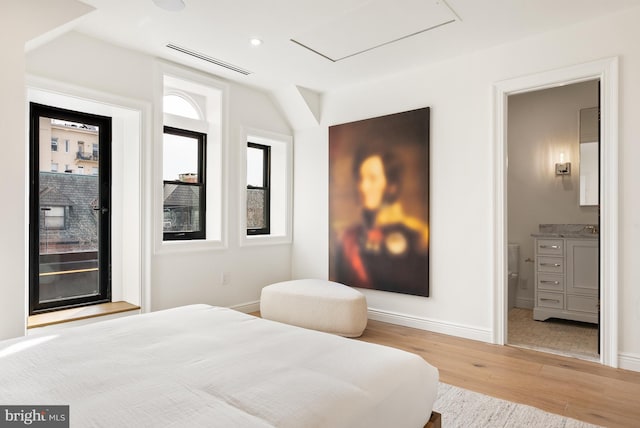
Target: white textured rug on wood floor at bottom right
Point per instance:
(463, 408)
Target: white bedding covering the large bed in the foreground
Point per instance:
(204, 366)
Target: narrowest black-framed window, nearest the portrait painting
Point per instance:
(258, 189)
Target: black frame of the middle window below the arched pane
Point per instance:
(200, 234)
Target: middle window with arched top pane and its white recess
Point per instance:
(189, 205)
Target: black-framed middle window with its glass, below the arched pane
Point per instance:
(184, 193)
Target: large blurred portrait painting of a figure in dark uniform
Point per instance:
(379, 203)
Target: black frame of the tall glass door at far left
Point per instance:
(103, 208)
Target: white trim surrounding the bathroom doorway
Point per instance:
(606, 70)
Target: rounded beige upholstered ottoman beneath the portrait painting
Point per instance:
(316, 304)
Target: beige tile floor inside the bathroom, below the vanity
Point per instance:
(569, 338)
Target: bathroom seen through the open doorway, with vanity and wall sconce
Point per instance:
(552, 230)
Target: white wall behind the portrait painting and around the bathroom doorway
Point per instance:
(459, 91)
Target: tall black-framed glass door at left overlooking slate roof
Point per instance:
(70, 214)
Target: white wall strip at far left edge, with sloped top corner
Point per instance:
(20, 23)
